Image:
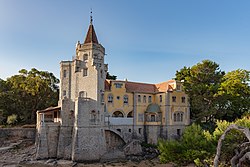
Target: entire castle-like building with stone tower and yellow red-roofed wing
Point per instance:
(95, 115)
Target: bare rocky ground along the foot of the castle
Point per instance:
(21, 153)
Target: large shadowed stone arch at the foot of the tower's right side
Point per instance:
(113, 140)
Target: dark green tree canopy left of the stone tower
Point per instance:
(27, 92)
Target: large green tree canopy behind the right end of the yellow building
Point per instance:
(213, 93)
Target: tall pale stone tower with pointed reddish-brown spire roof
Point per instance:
(82, 101)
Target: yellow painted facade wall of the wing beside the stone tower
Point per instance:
(163, 99)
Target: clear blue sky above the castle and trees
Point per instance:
(145, 40)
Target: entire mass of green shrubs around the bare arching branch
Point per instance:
(199, 146)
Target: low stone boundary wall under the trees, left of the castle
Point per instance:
(22, 133)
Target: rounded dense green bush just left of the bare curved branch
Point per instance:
(194, 144)
